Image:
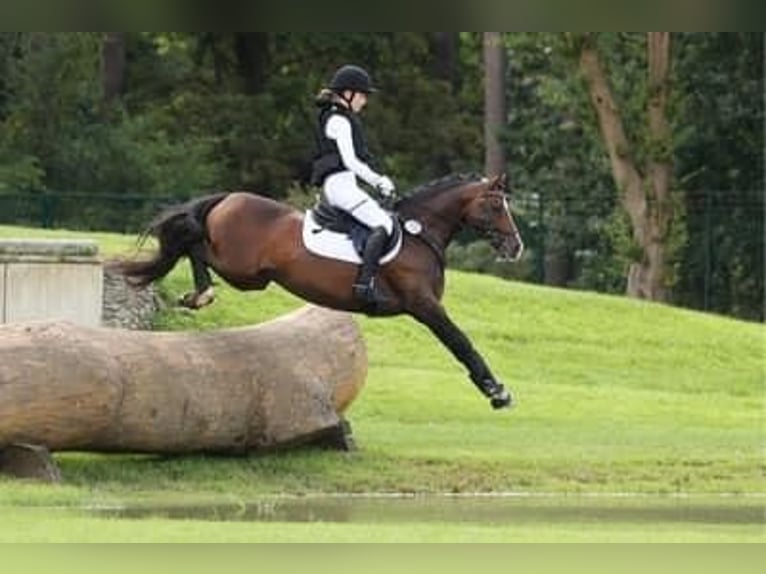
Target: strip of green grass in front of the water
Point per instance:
(55, 526)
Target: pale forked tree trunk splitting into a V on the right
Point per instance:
(644, 197)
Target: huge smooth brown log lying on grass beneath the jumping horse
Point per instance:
(229, 391)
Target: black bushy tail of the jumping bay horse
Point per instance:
(177, 229)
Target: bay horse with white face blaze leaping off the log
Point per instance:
(251, 240)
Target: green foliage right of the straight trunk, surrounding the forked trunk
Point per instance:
(562, 177)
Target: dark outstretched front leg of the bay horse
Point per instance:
(433, 315)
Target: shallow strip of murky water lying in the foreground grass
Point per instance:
(462, 509)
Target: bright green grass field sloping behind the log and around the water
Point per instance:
(614, 396)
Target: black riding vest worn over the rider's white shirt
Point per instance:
(327, 160)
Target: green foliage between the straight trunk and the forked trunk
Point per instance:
(558, 166)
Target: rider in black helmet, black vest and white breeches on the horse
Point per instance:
(341, 158)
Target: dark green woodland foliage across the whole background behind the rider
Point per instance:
(234, 110)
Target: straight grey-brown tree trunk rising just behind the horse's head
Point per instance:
(494, 103)
